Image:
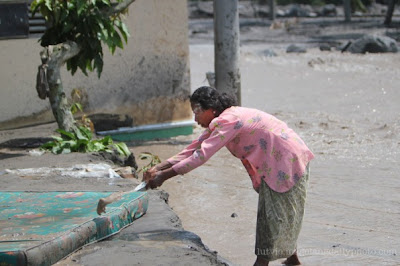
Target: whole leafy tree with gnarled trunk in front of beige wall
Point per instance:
(74, 36)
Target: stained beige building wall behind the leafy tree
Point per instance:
(149, 79)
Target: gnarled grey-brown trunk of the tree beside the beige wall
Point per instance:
(57, 56)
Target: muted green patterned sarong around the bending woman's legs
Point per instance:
(279, 219)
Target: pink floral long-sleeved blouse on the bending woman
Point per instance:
(267, 147)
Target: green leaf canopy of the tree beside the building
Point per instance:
(85, 22)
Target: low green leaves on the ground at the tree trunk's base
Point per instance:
(81, 140)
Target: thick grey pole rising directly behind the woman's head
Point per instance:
(227, 47)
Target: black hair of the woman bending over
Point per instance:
(209, 97)
